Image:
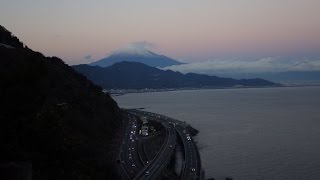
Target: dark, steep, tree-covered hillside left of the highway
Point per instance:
(52, 117)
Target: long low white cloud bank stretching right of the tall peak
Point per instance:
(239, 65)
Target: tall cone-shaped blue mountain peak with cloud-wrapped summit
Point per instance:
(136, 54)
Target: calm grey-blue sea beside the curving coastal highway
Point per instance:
(264, 133)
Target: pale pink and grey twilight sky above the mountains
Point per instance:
(82, 31)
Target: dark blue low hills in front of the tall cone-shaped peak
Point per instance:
(134, 75)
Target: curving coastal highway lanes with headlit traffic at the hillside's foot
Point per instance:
(136, 165)
